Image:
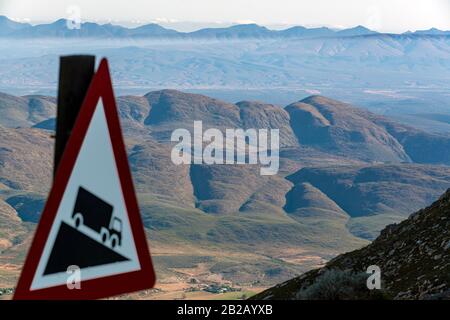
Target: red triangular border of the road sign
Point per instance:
(144, 278)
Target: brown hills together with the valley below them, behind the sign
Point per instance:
(345, 173)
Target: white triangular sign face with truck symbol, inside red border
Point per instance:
(92, 219)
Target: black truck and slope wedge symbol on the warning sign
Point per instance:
(97, 246)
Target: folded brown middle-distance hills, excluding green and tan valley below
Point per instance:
(330, 151)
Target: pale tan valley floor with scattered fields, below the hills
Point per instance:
(189, 272)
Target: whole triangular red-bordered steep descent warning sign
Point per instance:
(90, 242)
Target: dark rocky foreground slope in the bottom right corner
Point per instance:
(413, 256)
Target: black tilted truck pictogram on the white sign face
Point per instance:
(97, 215)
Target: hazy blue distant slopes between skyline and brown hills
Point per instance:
(390, 74)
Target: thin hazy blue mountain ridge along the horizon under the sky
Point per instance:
(58, 28)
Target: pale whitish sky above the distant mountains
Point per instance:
(381, 15)
